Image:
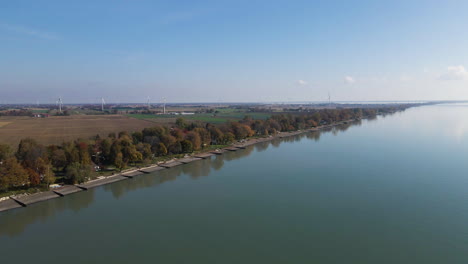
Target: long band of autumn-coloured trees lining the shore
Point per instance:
(36, 165)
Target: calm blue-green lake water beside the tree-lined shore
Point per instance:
(391, 190)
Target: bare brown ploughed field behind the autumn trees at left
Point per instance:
(57, 129)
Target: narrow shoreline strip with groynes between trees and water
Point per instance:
(24, 200)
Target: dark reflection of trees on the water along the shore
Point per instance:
(15, 221)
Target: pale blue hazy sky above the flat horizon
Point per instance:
(225, 51)
